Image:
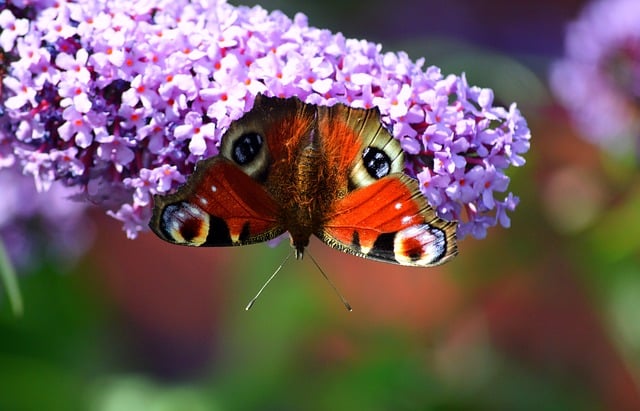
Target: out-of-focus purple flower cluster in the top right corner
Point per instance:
(598, 81)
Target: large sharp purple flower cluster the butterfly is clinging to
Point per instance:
(122, 98)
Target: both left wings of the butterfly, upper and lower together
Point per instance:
(234, 198)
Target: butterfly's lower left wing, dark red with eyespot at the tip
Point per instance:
(219, 206)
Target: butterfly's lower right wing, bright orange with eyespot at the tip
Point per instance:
(390, 221)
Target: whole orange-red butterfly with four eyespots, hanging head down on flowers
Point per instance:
(287, 166)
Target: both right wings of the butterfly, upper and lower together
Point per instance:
(382, 216)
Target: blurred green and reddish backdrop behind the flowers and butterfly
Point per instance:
(542, 316)
